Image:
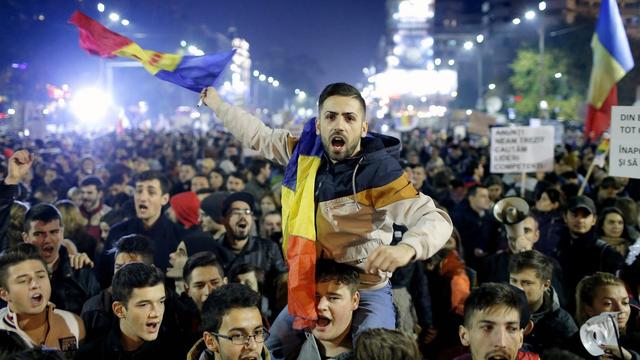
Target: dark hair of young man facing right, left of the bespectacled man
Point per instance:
(134, 276)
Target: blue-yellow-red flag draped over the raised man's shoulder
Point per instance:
(299, 230)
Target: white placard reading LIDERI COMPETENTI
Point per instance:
(521, 149)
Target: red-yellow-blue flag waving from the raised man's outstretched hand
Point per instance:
(192, 72)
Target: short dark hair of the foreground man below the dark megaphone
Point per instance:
(489, 295)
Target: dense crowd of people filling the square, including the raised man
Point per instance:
(336, 243)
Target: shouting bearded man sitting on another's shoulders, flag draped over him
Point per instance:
(343, 190)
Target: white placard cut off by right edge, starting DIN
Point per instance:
(624, 150)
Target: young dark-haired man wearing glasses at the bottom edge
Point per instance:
(232, 326)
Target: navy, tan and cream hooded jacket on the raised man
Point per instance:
(357, 200)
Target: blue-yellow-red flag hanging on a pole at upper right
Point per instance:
(611, 61)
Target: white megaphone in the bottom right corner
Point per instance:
(600, 330)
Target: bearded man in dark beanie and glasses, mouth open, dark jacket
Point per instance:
(237, 246)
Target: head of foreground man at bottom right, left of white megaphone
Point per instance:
(491, 326)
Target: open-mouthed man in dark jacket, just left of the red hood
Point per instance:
(151, 194)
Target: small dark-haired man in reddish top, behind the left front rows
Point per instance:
(93, 208)
